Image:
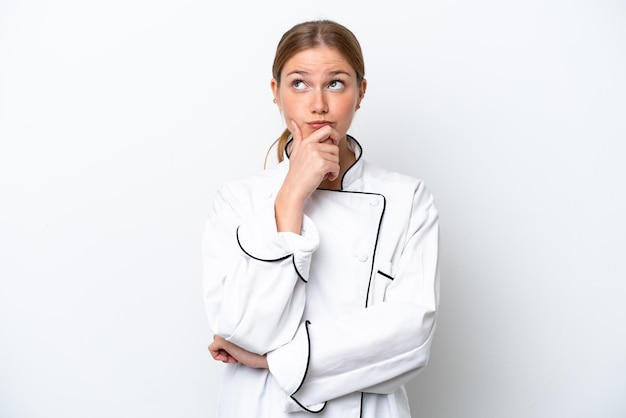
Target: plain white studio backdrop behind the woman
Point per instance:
(119, 119)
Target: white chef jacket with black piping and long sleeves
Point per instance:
(345, 311)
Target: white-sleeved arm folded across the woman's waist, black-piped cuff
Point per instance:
(378, 348)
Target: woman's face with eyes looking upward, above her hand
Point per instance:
(318, 87)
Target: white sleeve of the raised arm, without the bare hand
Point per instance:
(254, 277)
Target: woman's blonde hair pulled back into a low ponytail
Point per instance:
(310, 35)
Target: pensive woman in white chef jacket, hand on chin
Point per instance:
(321, 278)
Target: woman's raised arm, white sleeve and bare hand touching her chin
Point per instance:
(257, 255)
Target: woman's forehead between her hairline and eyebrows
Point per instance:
(320, 59)
